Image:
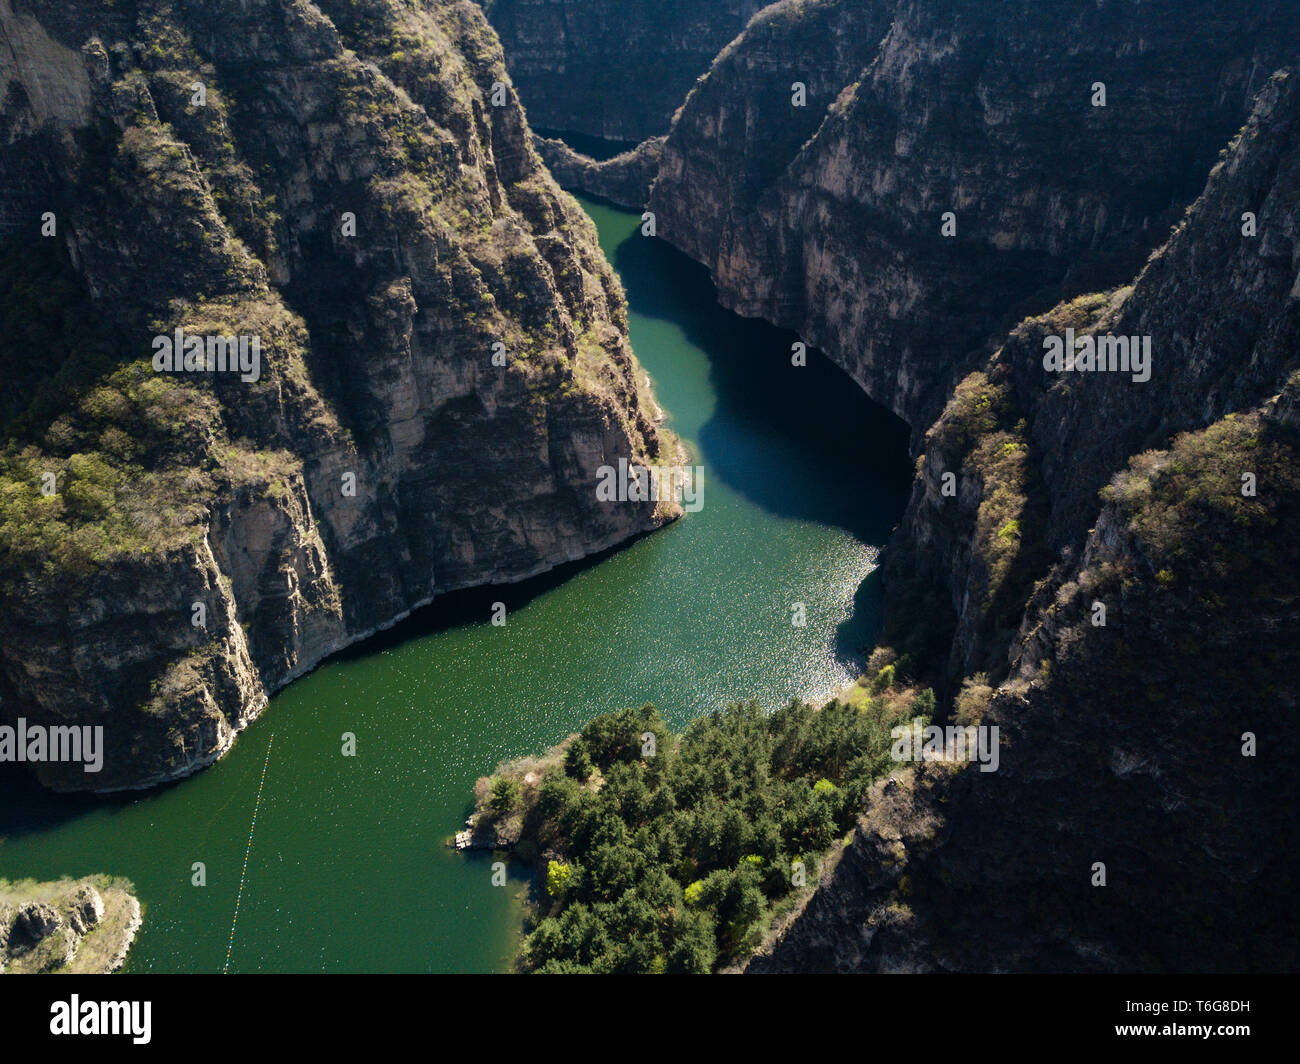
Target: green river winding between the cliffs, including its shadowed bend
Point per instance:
(349, 868)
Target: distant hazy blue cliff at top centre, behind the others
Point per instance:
(612, 68)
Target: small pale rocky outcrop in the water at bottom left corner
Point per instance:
(83, 928)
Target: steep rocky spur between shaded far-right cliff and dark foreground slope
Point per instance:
(1020, 444)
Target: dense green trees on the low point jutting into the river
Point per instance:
(664, 853)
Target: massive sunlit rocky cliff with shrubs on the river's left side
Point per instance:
(444, 358)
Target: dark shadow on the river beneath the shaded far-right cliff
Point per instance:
(775, 425)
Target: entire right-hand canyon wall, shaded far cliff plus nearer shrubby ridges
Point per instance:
(929, 227)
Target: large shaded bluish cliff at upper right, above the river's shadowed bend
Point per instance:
(963, 176)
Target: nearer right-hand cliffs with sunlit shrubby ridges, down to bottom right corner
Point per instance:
(1138, 818)
